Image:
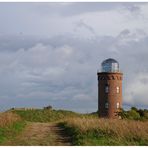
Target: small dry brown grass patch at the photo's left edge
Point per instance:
(8, 118)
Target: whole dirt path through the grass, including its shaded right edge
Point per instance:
(45, 134)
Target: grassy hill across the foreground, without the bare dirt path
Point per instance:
(84, 129)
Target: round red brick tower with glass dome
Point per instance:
(109, 89)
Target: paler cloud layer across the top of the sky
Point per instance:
(43, 19)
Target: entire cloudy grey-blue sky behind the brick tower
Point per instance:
(50, 53)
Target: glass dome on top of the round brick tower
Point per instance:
(110, 65)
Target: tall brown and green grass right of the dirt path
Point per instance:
(94, 131)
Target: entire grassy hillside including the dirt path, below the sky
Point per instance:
(60, 127)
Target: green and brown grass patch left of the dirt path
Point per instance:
(10, 125)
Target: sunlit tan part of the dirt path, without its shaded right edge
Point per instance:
(34, 135)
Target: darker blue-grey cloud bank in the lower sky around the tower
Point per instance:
(63, 72)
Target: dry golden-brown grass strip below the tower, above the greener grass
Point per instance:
(121, 129)
